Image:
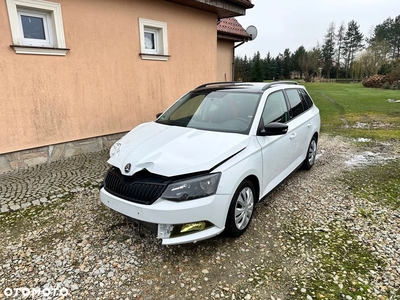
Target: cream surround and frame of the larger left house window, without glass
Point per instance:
(51, 11)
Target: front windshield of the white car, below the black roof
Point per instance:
(224, 111)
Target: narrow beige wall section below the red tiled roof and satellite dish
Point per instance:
(225, 60)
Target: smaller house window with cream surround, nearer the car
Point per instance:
(153, 40)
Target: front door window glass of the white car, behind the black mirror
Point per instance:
(275, 109)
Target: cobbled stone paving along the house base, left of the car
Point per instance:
(49, 182)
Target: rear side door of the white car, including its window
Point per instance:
(302, 115)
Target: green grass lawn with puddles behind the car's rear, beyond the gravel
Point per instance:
(355, 111)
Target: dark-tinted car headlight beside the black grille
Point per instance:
(193, 188)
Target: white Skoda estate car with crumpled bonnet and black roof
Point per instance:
(200, 168)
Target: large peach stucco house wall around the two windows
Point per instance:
(101, 86)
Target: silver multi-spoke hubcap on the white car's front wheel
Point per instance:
(244, 208)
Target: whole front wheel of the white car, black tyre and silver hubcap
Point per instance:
(241, 209)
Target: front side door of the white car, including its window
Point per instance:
(277, 151)
